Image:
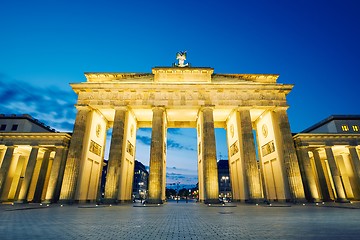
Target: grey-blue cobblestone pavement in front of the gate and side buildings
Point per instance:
(180, 221)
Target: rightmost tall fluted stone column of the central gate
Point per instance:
(289, 154)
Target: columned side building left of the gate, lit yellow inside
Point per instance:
(32, 160)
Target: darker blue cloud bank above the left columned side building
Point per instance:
(50, 105)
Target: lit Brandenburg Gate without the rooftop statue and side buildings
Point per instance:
(251, 107)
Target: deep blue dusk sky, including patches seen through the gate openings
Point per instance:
(47, 44)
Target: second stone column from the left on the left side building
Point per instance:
(28, 174)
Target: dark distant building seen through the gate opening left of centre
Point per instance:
(140, 183)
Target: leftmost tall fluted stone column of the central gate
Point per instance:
(74, 156)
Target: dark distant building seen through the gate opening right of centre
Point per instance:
(224, 179)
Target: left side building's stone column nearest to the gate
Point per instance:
(54, 174)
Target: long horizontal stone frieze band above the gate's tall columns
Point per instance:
(174, 98)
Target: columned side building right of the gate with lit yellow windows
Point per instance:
(328, 154)
